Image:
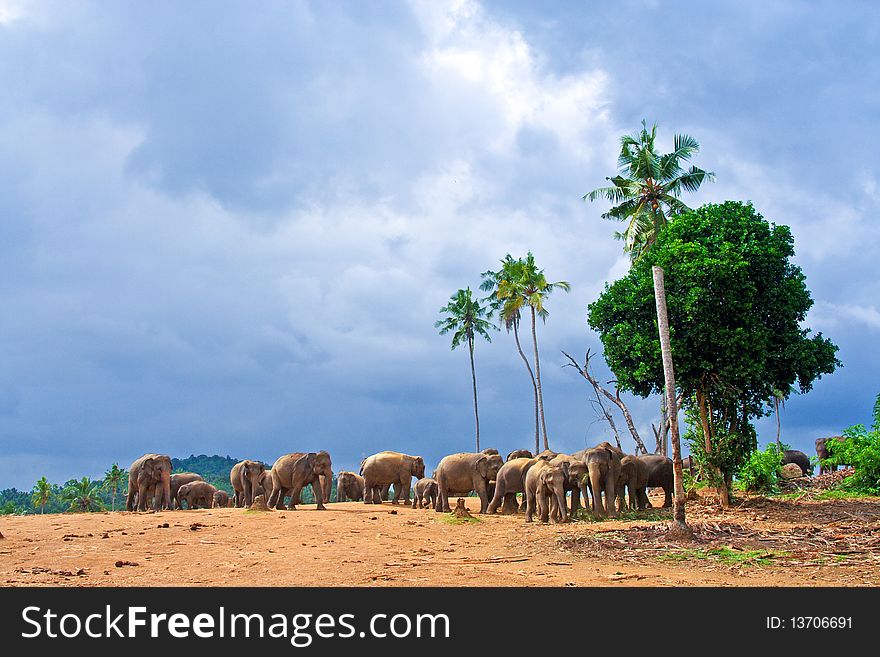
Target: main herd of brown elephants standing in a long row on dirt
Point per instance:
(544, 480)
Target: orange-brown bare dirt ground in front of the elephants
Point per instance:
(758, 542)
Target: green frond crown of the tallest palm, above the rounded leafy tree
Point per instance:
(647, 187)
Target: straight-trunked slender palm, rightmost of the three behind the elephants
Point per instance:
(531, 288)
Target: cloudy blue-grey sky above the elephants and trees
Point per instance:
(229, 229)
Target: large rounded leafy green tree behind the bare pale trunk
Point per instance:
(736, 304)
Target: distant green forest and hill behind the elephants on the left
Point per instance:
(97, 494)
